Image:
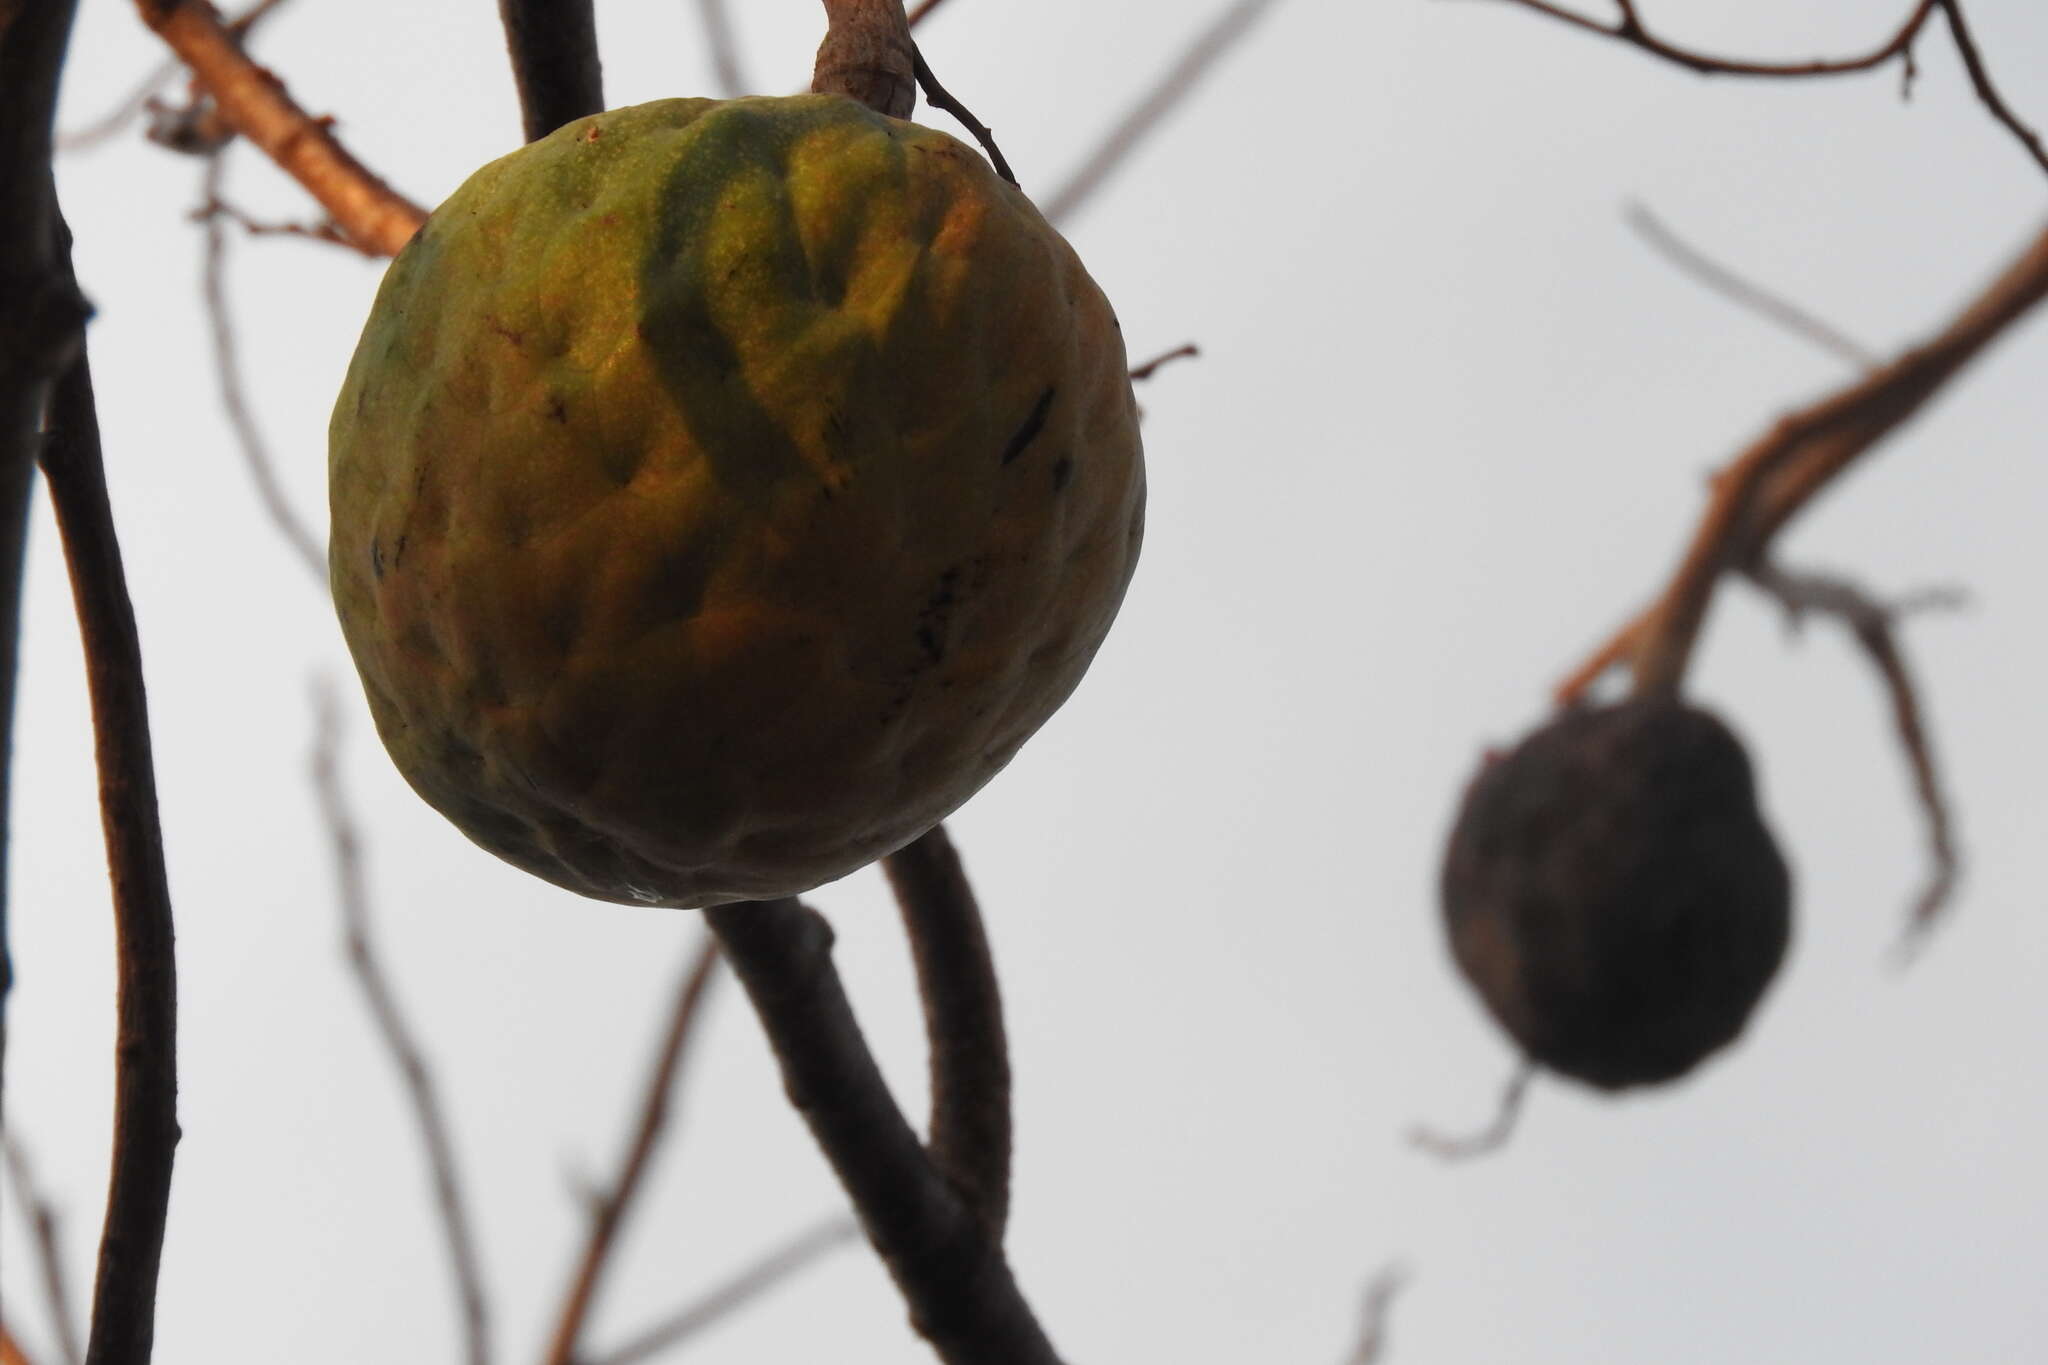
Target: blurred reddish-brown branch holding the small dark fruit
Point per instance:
(1791, 464)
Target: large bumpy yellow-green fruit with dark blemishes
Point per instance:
(724, 492)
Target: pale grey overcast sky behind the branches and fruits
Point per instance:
(1449, 427)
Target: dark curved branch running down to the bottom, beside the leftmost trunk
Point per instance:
(146, 1039)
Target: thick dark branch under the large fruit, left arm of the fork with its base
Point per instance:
(945, 1264)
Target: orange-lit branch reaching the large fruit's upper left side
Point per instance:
(255, 103)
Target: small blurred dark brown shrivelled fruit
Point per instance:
(1615, 895)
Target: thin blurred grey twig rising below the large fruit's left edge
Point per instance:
(394, 1030)
